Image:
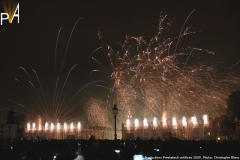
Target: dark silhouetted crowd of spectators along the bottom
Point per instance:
(49, 149)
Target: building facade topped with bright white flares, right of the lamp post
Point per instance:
(185, 129)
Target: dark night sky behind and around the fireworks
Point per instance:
(31, 43)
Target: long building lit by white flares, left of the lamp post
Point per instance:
(69, 131)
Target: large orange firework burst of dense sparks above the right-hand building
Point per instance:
(159, 84)
